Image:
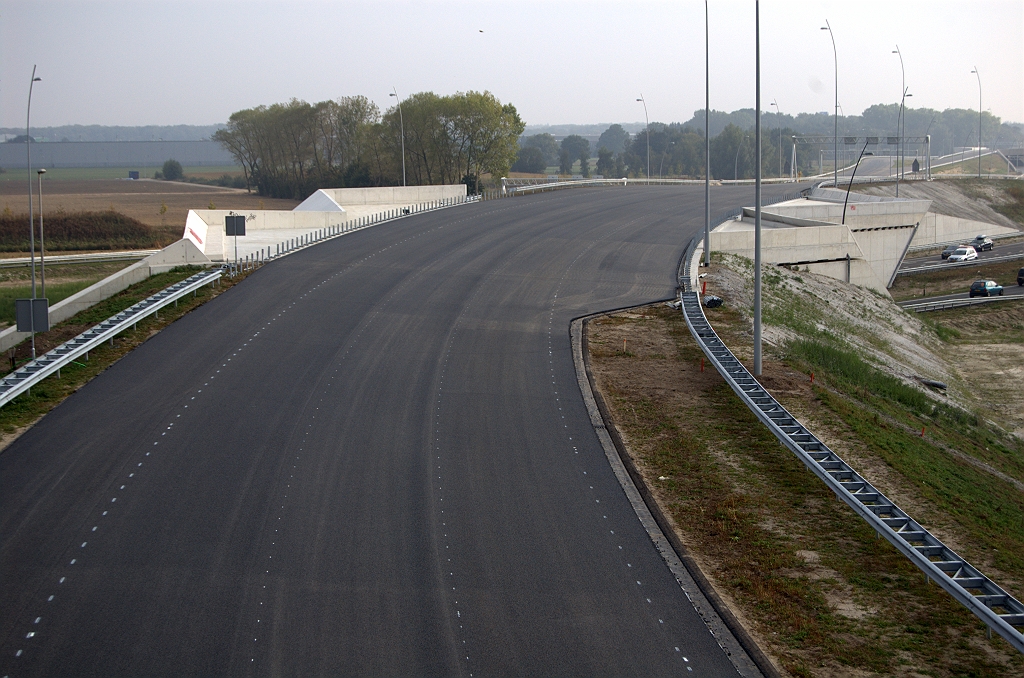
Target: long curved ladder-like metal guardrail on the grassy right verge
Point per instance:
(970, 587)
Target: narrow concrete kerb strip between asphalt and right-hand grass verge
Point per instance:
(738, 656)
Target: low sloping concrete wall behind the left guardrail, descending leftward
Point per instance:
(180, 255)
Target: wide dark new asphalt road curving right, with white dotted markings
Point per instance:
(370, 458)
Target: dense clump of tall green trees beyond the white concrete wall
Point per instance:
(291, 150)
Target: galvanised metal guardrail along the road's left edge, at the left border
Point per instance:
(35, 371)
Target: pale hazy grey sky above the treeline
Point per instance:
(150, 62)
